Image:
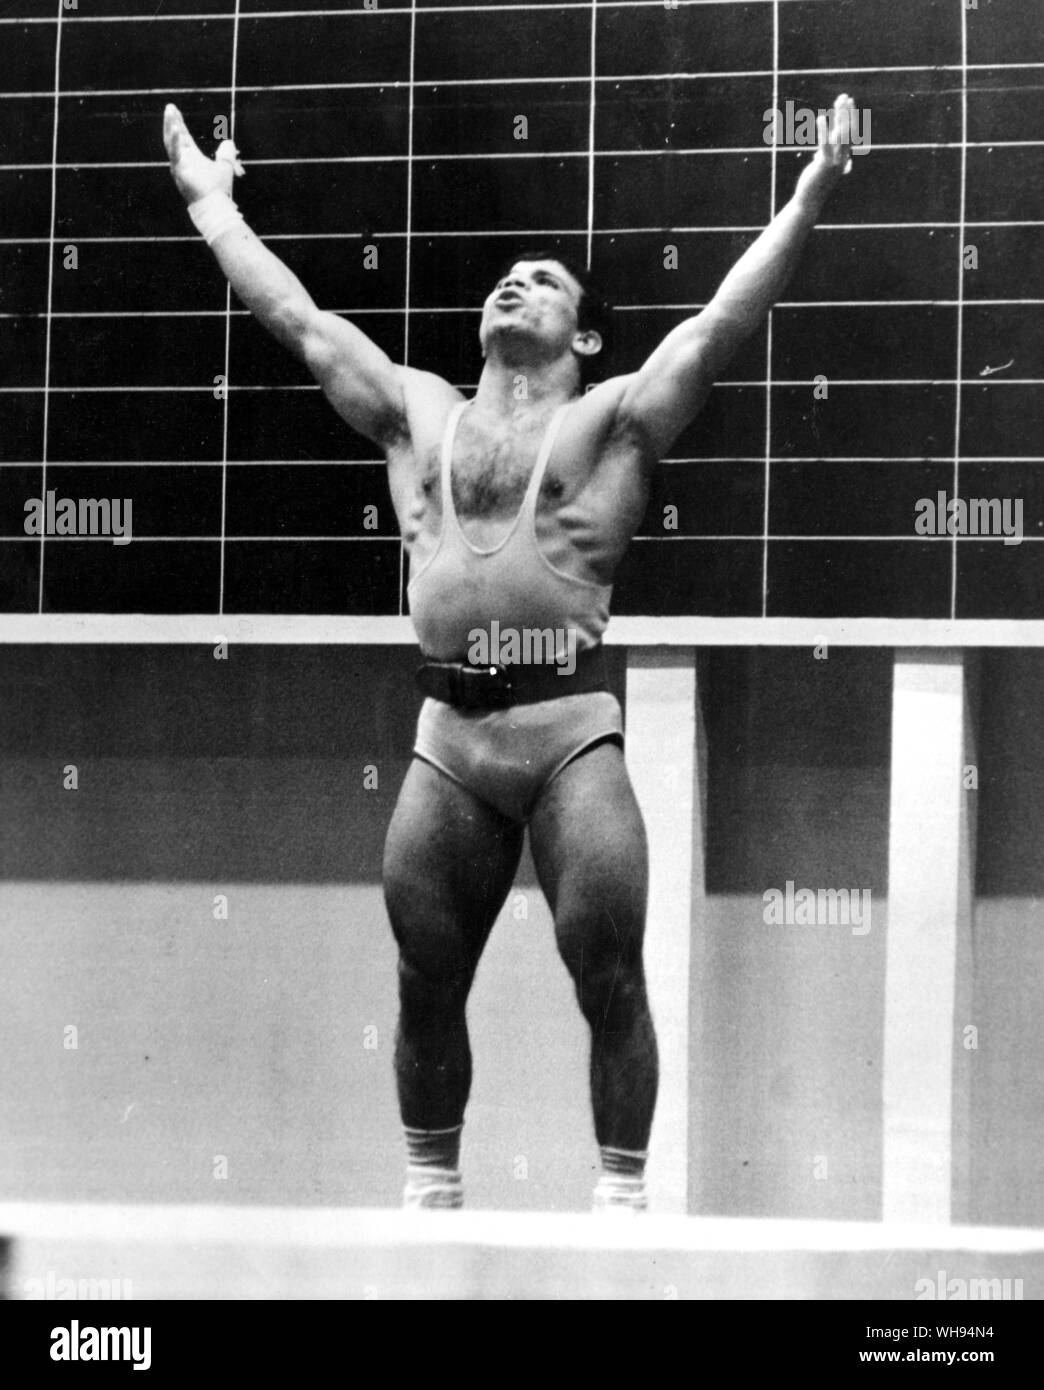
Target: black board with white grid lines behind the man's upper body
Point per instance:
(397, 129)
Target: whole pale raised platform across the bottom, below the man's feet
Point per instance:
(66, 1252)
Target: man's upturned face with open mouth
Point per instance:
(537, 302)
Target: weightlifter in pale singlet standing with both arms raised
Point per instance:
(516, 508)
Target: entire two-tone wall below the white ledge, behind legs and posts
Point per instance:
(248, 1038)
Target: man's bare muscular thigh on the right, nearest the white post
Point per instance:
(590, 850)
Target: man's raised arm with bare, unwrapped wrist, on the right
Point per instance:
(671, 389)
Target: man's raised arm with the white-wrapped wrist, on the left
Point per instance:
(361, 382)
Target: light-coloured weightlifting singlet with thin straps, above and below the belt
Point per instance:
(507, 757)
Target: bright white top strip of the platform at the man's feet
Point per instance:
(325, 1228)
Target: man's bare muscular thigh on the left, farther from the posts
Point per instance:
(450, 861)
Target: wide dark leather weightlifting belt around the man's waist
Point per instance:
(498, 687)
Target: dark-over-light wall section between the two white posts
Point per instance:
(788, 1117)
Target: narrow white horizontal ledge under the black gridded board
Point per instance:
(288, 630)
